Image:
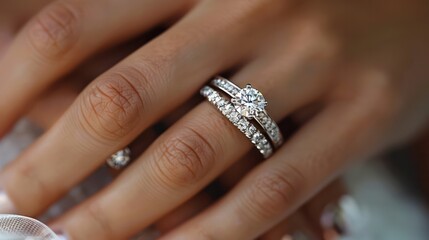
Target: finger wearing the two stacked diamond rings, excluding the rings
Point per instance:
(182, 161)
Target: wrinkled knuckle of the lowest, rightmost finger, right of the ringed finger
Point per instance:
(272, 193)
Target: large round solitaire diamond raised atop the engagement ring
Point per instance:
(249, 102)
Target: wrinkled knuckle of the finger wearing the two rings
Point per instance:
(185, 158)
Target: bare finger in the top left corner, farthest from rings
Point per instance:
(61, 36)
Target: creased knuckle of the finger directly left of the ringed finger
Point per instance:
(113, 106)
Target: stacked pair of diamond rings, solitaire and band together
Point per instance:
(246, 110)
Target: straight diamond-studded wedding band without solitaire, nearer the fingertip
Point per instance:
(243, 124)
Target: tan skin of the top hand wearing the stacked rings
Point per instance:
(363, 63)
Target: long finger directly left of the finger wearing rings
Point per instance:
(123, 102)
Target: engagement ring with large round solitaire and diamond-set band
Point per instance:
(251, 104)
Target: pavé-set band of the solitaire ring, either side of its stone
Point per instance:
(262, 117)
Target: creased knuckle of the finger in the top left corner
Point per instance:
(55, 30)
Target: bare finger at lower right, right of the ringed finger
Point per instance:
(278, 186)
